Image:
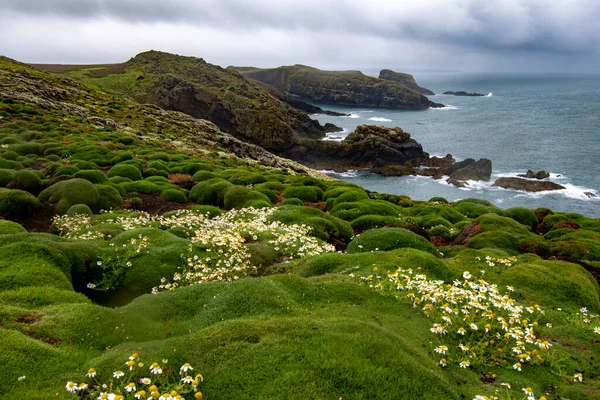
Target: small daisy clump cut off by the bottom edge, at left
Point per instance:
(139, 381)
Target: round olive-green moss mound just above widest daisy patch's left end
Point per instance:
(68, 193)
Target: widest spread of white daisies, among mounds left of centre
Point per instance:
(217, 248)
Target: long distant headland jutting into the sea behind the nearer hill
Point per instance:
(350, 88)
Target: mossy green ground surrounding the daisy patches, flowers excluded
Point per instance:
(304, 328)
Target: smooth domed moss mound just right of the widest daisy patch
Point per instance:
(389, 239)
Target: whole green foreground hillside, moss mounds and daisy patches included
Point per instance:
(269, 279)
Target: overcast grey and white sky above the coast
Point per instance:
(406, 35)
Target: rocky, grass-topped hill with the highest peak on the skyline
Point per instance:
(206, 91)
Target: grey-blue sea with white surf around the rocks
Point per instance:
(525, 121)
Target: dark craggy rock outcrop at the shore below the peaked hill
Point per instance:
(386, 151)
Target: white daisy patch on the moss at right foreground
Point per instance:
(474, 322)
